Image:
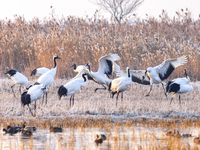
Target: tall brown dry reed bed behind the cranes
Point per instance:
(26, 45)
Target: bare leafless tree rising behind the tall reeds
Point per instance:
(118, 8)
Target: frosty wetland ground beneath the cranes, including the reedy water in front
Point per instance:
(138, 122)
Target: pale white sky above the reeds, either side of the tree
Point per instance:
(81, 8)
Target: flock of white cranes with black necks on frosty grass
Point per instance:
(109, 76)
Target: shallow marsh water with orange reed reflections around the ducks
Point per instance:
(118, 137)
